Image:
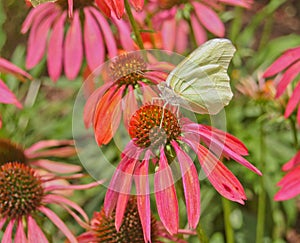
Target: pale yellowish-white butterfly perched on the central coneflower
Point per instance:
(200, 82)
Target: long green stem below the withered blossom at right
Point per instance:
(261, 212)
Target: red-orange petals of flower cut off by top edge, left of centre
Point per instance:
(117, 6)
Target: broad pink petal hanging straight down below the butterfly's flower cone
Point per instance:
(165, 195)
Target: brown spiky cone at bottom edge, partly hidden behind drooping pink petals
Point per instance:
(130, 231)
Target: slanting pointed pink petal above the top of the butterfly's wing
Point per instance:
(209, 19)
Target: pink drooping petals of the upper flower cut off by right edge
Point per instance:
(289, 63)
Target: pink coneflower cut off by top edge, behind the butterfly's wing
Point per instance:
(175, 17)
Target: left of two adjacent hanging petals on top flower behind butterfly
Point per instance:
(168, 32)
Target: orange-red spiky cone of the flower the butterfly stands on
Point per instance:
(153, 125)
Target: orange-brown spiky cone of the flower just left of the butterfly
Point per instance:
(127, 69)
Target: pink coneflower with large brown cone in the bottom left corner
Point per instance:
(25, 197)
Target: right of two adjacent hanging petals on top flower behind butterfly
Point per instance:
(181, 43)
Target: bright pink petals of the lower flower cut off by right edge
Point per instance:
(290, 183)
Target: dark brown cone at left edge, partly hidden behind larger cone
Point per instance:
(10, 152)
